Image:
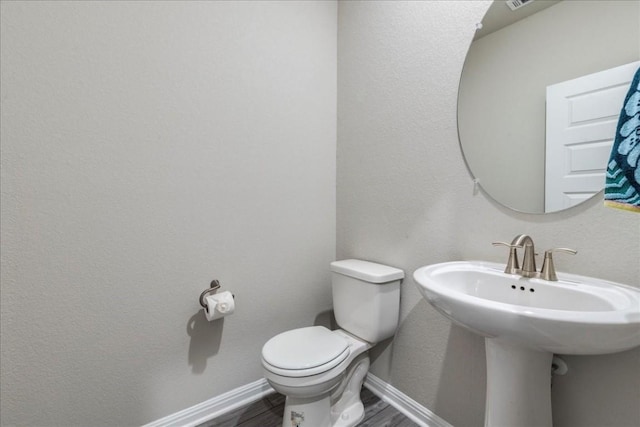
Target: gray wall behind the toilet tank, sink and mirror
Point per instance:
(406, 199)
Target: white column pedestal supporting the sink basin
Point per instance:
(518, 385)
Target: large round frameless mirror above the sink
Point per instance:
(513, 93)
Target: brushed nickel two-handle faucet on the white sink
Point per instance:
(528, 269)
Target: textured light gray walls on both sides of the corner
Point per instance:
(148, 147)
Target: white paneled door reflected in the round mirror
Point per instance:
(582, 115)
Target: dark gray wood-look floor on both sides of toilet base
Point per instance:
(267, 412)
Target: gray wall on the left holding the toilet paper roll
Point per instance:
(147, 148)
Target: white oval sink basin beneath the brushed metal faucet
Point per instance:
(575, 315)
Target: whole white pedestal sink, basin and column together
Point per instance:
(526, 320)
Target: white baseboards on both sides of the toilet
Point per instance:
(244, 395)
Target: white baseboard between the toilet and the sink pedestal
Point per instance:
(403, 403)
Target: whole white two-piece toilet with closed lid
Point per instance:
(321, 371)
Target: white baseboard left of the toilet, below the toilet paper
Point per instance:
(216, 406)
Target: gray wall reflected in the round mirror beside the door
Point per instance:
(504, 81)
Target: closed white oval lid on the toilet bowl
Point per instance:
(305, 349)
